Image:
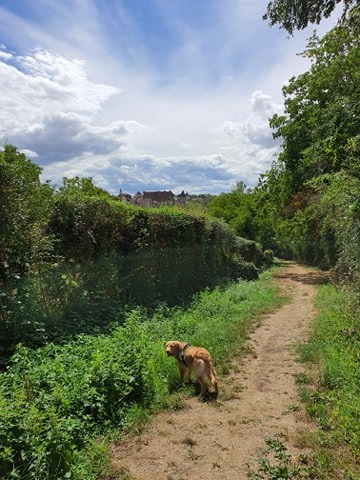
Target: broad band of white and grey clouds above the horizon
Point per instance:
(56, 116)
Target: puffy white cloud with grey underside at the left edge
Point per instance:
(52, 107)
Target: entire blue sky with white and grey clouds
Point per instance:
(145, 95)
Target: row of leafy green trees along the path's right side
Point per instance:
(307, 205)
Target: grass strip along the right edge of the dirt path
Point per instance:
(335, 404)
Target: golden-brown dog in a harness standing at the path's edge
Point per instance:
(195, 360)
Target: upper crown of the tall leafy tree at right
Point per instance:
(320, 126)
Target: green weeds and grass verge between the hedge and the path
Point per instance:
(59, 401)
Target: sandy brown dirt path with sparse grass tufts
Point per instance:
(215, 440)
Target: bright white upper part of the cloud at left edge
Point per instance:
(44, 82)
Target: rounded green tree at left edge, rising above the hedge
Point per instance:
(25, 203)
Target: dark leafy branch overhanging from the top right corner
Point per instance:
(297, 14)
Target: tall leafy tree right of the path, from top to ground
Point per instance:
(320, 144)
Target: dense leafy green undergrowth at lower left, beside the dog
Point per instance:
(53, 399)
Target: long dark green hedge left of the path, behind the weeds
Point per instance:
(75, 259)
